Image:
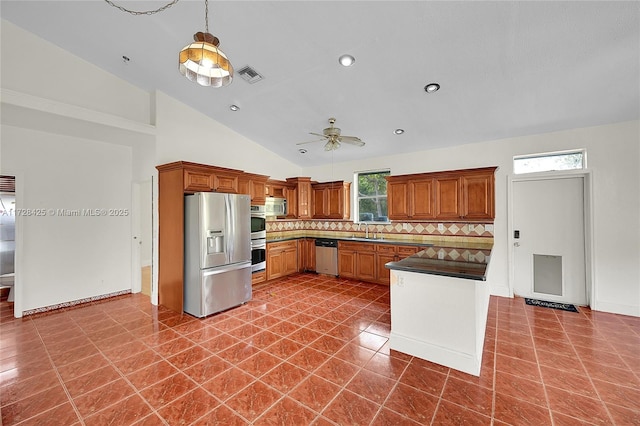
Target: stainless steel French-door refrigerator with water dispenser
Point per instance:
(217, 252)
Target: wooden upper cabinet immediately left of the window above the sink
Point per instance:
(331, 200)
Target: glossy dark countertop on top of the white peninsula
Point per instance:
(465, 263)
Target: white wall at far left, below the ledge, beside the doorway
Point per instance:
(67, 258)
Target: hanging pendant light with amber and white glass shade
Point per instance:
(202, 61)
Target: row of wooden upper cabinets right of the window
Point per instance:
(451, 195)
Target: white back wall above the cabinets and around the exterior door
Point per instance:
(613, 155)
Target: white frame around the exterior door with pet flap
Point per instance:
(587, 180)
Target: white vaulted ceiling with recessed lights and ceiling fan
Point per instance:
(506, 68)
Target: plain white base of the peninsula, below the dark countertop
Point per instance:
(441, 319)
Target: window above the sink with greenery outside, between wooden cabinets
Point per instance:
(371, 196)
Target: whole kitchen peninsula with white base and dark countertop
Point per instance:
(439, 305)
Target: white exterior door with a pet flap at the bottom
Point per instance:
(549, 239)
